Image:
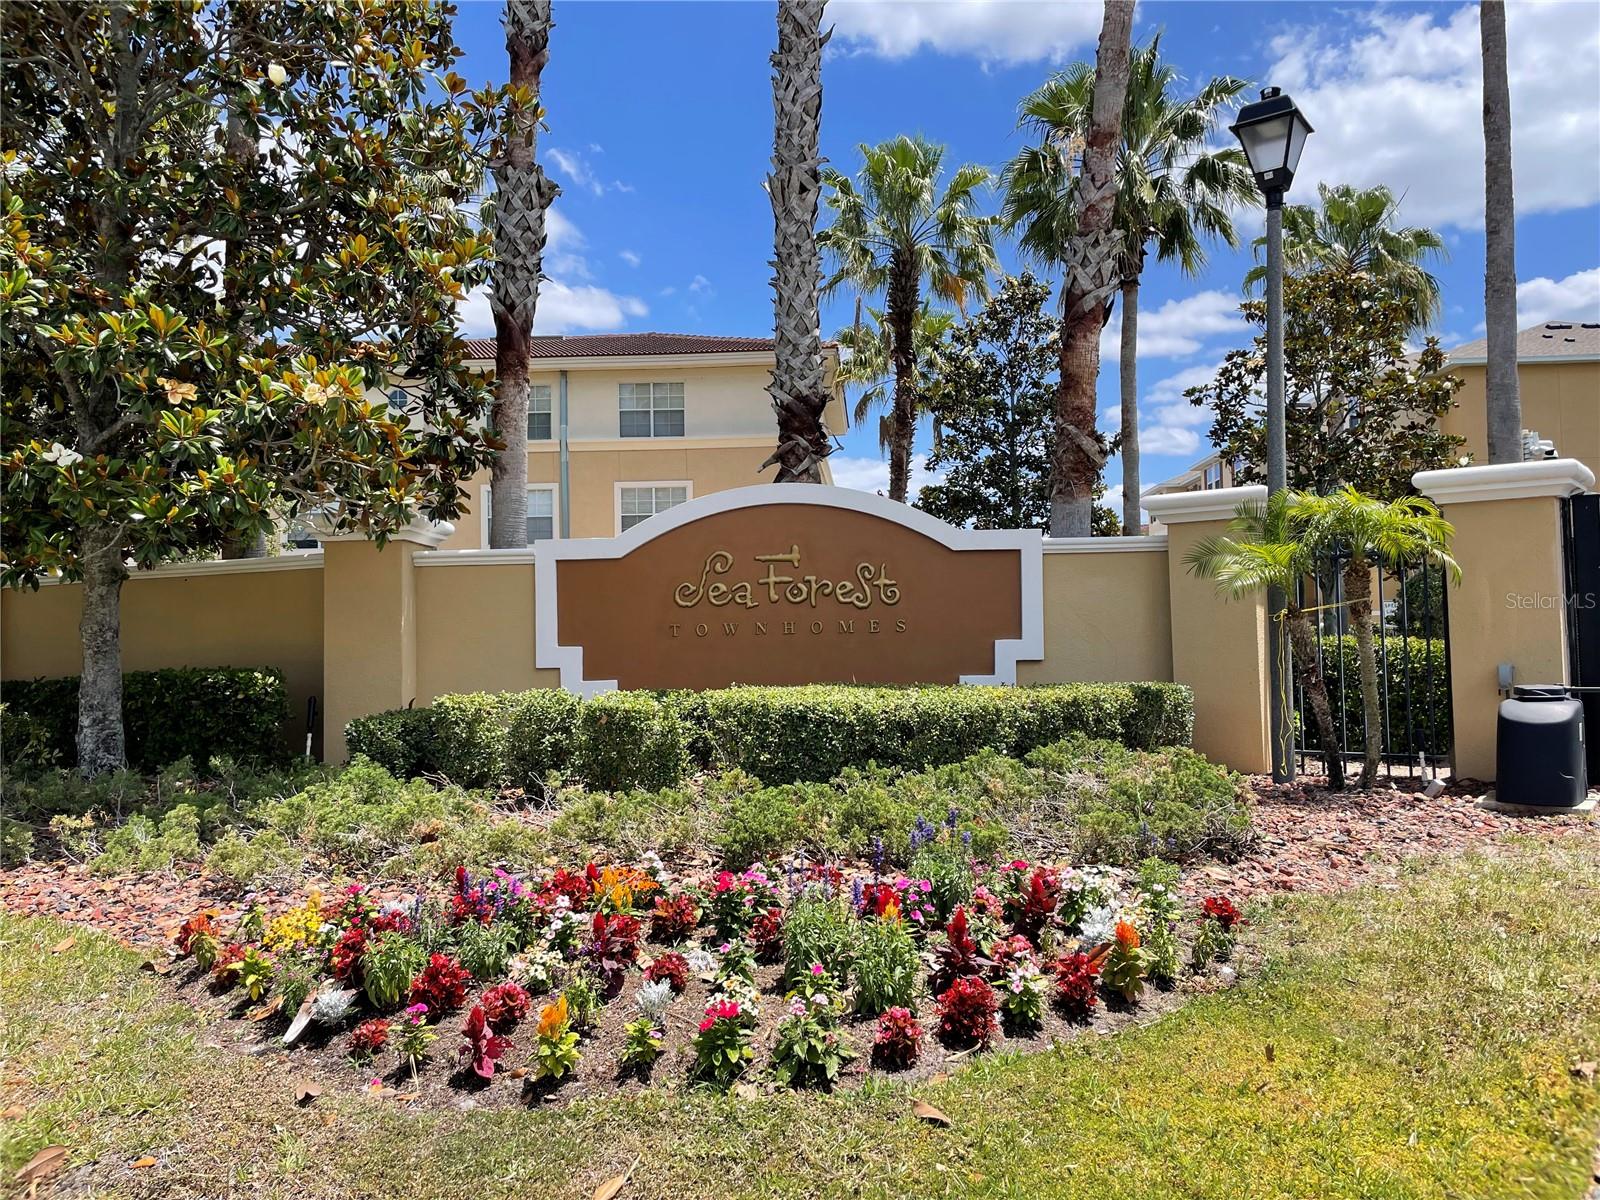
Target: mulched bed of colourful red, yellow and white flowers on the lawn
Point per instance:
(510, 988)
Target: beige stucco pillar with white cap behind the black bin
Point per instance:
(1511, 606)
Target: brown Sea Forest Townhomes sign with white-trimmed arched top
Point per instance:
(790, 585)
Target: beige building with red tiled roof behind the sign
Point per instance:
(628, 425)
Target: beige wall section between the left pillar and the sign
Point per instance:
(476, 631)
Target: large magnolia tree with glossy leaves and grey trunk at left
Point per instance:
(223, 225)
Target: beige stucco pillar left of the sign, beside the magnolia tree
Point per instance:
(369, 626)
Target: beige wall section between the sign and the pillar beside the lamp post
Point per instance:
(1108, 618)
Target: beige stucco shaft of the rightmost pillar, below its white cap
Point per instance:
(1508, 609)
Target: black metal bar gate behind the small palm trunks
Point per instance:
(1412, 644)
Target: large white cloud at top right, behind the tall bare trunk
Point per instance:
(1396, 98)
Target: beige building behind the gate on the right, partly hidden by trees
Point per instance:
(1559, 380)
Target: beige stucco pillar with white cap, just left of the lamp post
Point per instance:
(1220, 646)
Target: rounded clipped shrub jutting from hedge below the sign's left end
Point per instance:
(631, 740)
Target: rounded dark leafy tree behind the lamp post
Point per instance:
(1364, 410)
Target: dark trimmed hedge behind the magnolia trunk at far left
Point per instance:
(185, 713)
